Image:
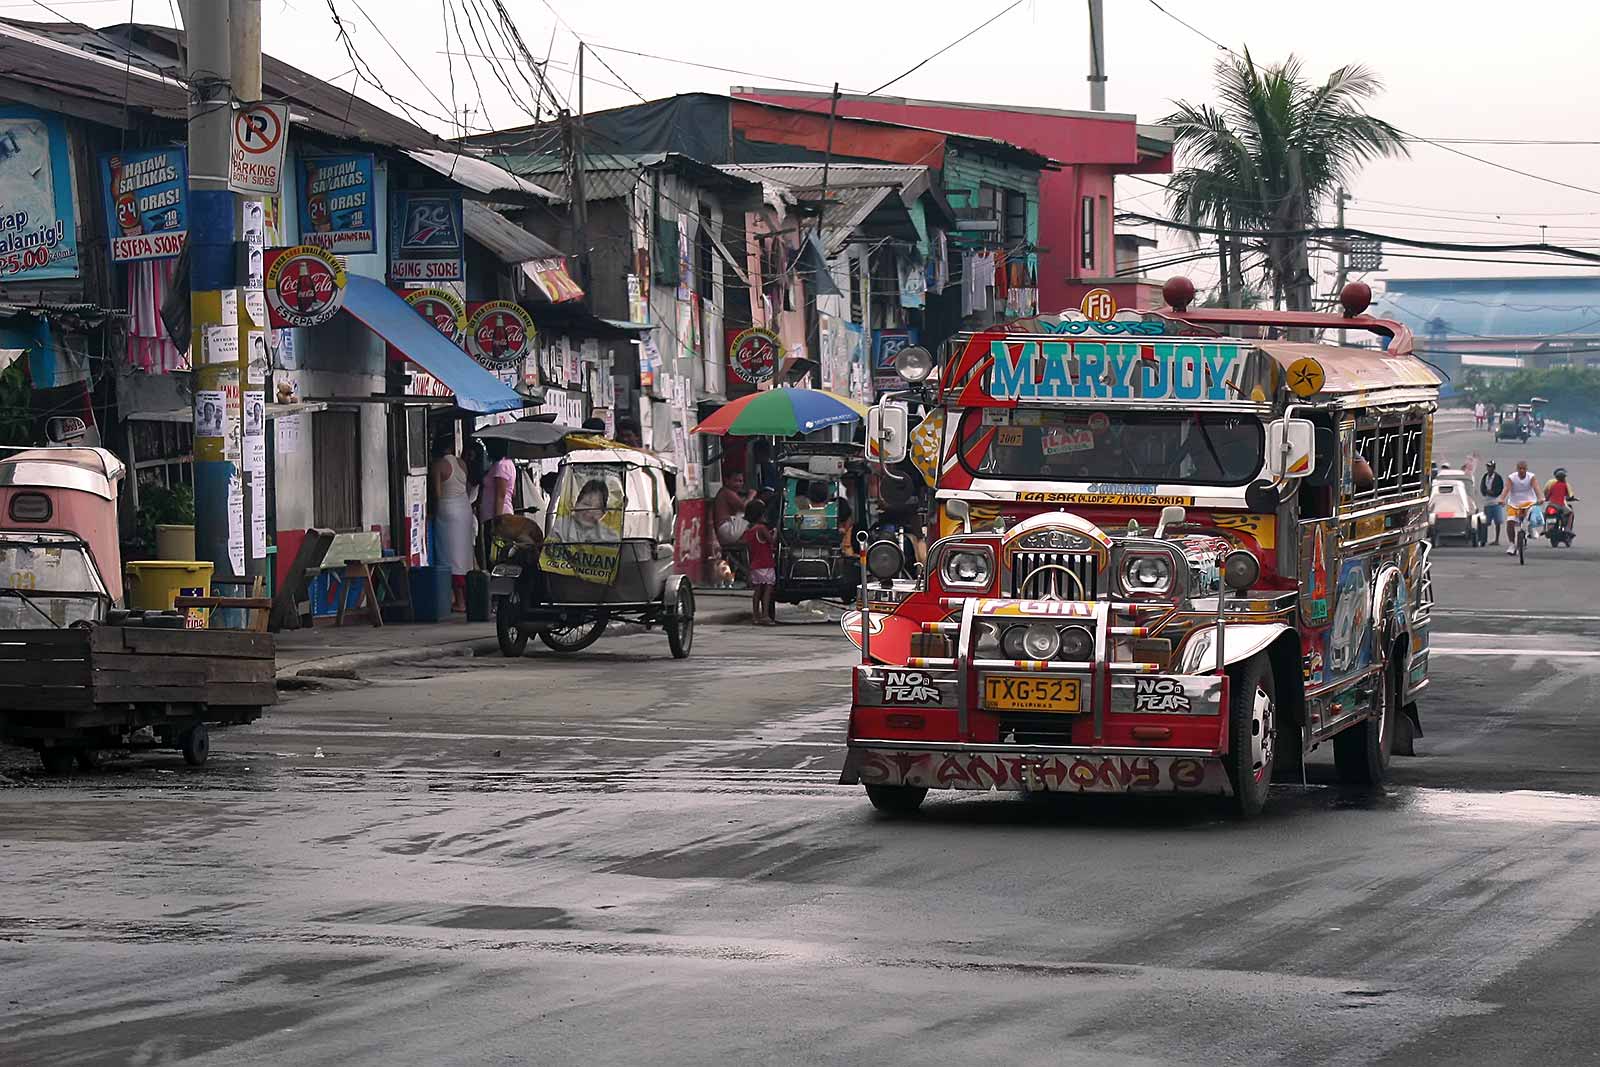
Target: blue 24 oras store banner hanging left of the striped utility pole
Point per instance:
(146, 214)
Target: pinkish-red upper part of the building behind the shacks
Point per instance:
(1078, 204)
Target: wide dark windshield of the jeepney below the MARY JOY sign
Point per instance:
(1113, 446)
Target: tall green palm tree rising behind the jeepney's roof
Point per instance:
(1270, 156)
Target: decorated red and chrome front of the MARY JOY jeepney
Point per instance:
(1100, 498)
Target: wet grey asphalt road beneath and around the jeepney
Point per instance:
(618, 857)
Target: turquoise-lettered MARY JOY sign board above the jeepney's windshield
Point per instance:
(1111, 370)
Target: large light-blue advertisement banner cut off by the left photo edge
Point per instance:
(39, 231)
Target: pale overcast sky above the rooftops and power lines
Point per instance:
(1466, 70)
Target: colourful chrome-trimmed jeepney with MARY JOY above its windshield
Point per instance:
(1169, 559)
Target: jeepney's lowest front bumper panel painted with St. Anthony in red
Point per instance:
(1034, 769)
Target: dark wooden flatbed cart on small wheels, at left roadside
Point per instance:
(73, 693)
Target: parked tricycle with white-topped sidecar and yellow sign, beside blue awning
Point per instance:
(606, 549)
